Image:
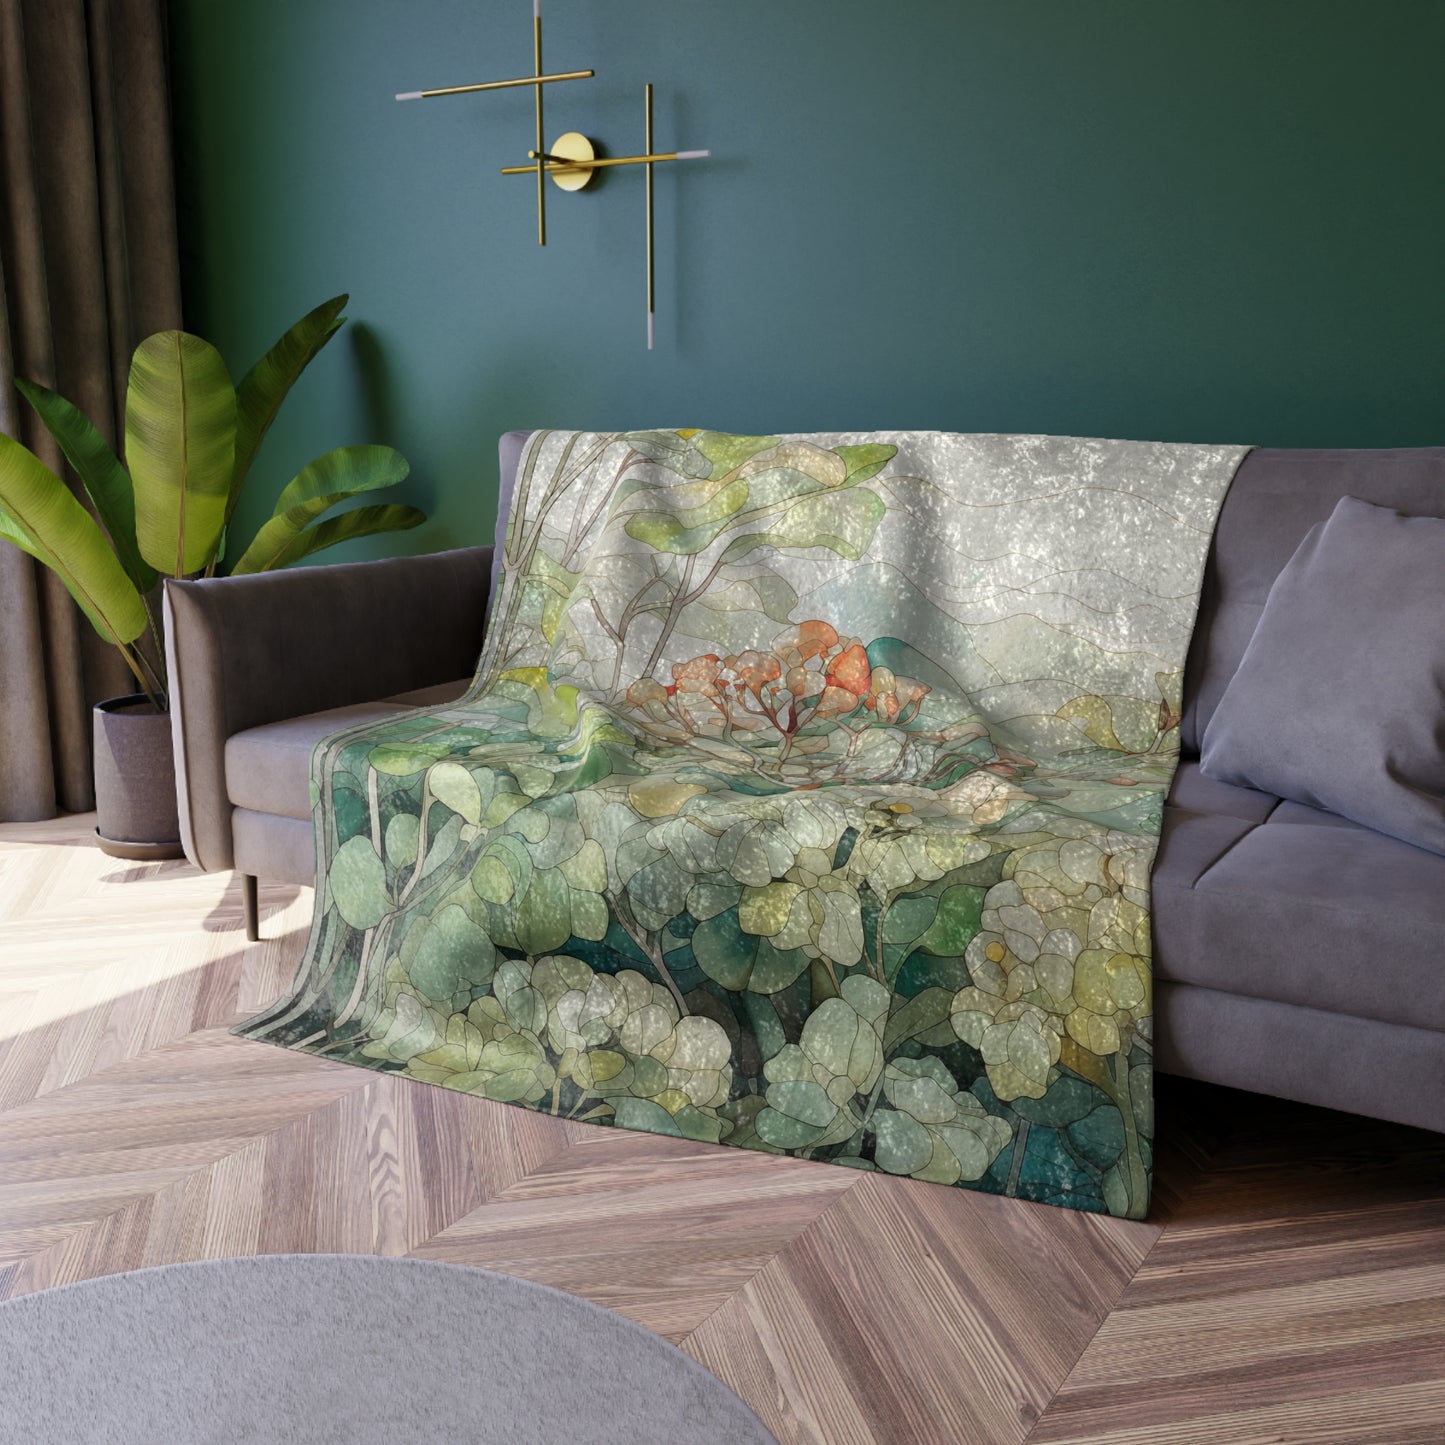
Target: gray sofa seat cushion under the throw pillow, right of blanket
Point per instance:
(1303, 908)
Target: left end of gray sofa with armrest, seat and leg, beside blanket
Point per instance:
(262, 667)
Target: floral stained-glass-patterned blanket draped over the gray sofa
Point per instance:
(806, 800)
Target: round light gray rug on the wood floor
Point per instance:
(350, 1349)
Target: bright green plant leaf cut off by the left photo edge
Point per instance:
(43, 517)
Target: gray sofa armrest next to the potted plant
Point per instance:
(245, 651)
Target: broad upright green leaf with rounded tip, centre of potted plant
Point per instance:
(181, 449)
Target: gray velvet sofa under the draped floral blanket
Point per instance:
(1295, 953)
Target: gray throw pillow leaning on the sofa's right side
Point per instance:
(1340, 699)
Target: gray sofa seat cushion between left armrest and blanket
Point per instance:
(268, 769)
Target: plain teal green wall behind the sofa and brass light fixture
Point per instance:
(1197, 220)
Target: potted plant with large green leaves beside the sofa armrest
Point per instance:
(191, 439)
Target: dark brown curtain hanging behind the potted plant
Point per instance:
(89, 265)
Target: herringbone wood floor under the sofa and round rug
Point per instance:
(1290, 1290)
